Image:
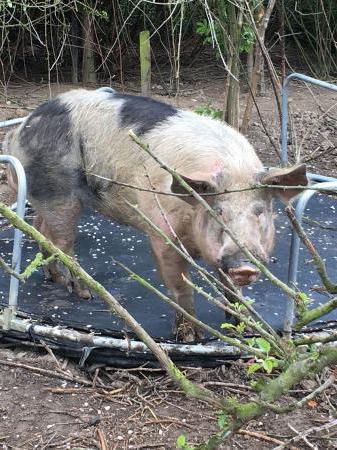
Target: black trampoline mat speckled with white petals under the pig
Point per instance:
(99, 240)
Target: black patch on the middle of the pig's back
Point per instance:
(142, 113)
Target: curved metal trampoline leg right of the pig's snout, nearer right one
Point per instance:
(295, 247)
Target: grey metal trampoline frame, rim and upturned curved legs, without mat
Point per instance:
(10, 321)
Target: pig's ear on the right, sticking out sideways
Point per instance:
(290, 176)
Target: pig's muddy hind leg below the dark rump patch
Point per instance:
(58, 224)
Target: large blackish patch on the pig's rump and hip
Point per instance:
(51, 167)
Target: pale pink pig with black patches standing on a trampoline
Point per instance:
(76, 145)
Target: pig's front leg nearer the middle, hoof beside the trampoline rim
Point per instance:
(171, 267)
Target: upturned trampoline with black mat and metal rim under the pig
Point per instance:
(88, 331)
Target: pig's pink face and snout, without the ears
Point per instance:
(251, 221)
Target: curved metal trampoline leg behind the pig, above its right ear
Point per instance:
(284, 121)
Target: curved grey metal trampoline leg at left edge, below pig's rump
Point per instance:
(17, 246)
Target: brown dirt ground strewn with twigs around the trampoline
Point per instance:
(46, 402)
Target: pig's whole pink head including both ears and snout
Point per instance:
(247, 213)
